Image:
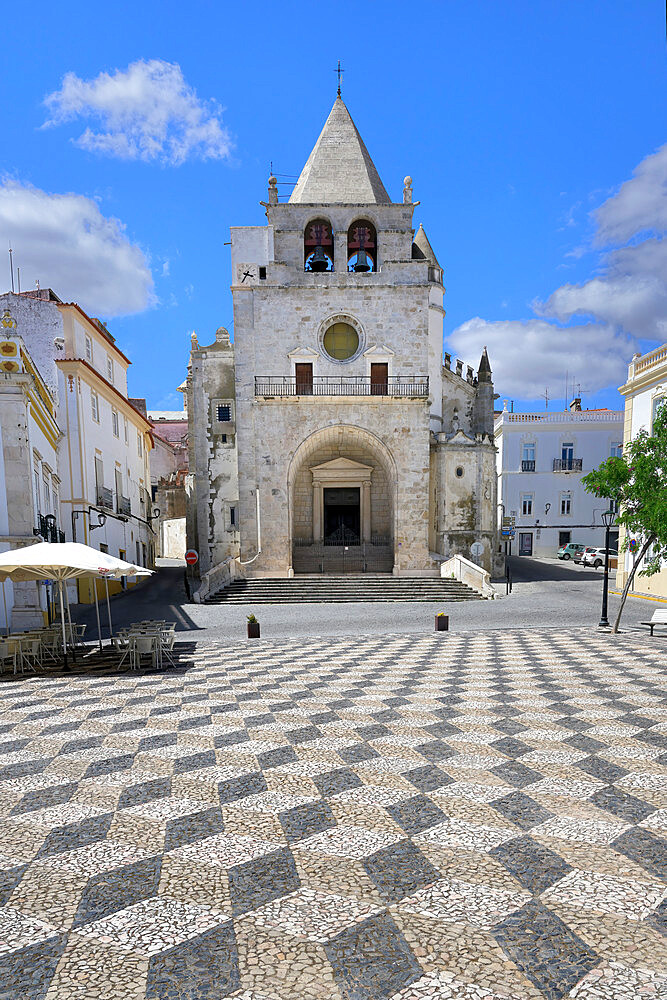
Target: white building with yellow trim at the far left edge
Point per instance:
(29, 481)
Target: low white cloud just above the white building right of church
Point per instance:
(529, 356)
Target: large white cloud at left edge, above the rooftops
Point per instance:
(65, 242)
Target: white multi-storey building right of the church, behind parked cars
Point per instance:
(541, 460)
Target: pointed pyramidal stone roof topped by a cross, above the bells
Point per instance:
(339, 171)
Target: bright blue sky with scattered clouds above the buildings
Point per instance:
(534, 133)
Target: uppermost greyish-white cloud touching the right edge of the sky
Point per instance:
(640, 204)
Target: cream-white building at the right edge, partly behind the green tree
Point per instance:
(644, 391)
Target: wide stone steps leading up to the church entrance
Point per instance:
(334, 589)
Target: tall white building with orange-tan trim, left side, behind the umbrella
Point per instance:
(103, 452)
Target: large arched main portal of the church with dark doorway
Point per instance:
(342, 495)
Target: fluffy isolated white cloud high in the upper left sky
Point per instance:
(146, 112)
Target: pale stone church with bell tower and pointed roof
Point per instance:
(332, 435)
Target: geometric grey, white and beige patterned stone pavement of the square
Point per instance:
(392, 818)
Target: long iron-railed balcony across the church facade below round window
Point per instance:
(404, 386)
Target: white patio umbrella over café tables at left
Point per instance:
(63, 561)
